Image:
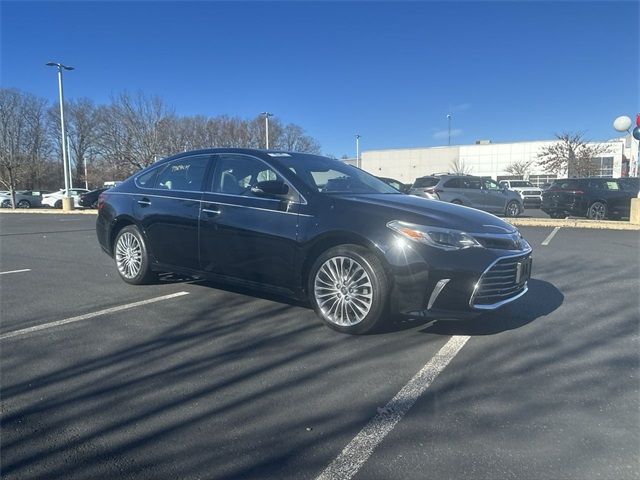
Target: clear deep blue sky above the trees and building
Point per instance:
(390, 71)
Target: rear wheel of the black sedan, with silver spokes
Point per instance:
(128, 237)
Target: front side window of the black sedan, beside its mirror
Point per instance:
(236, 174)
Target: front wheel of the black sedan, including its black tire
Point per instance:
(352, 294)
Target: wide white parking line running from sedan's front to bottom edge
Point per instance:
(356, 453)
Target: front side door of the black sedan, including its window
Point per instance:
(243, 235)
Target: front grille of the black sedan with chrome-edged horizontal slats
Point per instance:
(507, 278)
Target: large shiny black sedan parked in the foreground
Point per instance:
(311, 228)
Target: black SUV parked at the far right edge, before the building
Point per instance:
(594, 198)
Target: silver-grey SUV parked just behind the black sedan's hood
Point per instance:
(476, 192)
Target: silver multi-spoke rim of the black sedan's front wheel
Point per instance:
(343, 291)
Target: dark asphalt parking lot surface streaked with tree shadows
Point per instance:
(211, 382)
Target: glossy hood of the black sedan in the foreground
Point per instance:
(434, 212)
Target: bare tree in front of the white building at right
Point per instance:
(571, 155)
